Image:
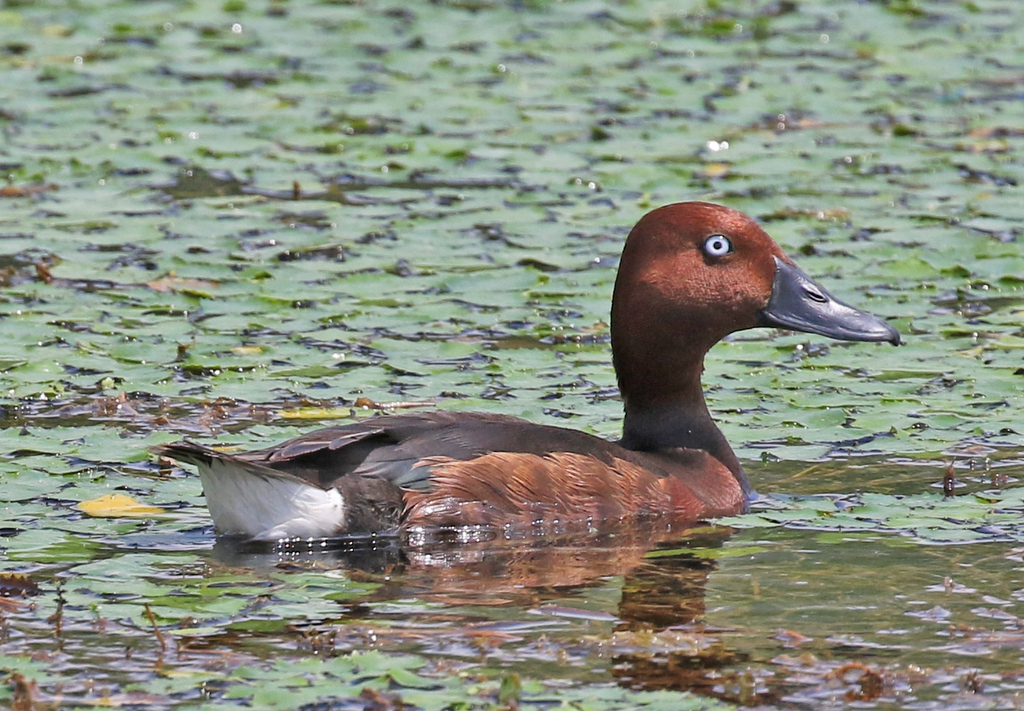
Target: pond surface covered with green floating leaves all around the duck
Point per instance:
(236, 222)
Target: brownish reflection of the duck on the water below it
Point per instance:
(661, 641)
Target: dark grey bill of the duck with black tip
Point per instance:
(800, 304)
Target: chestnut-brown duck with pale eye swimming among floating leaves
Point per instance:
(691, 274)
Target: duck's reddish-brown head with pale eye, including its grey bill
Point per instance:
(694, 273)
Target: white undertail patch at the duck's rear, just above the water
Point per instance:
(268, 509)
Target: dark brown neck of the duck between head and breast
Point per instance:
(676, 416)
